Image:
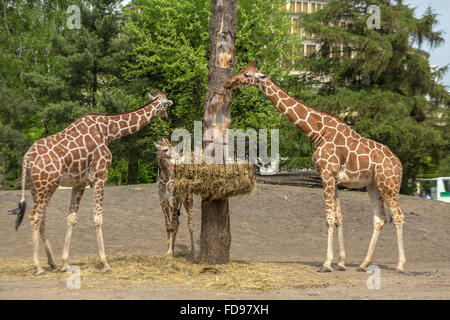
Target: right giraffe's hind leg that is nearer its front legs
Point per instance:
(379, 219)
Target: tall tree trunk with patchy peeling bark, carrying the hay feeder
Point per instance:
(215, 237)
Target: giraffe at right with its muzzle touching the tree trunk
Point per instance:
(343, 157)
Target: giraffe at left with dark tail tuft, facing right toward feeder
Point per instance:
(75, 157)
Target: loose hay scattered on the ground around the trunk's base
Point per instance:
(133, 270)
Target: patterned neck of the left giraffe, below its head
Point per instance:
(125, 124)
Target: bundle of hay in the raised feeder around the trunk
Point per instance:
(215, 181)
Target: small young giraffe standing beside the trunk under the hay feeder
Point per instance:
(170, 199)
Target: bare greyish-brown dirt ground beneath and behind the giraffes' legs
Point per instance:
(281, 224)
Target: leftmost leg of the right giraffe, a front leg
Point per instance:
(329, 194)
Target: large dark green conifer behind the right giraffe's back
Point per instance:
(376, 80)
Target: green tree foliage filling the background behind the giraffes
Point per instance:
(50, 75)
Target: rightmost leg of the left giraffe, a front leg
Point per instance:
(99, 188)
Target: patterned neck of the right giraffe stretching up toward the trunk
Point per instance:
(307, 119)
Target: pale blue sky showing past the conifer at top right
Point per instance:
(439, 56)
